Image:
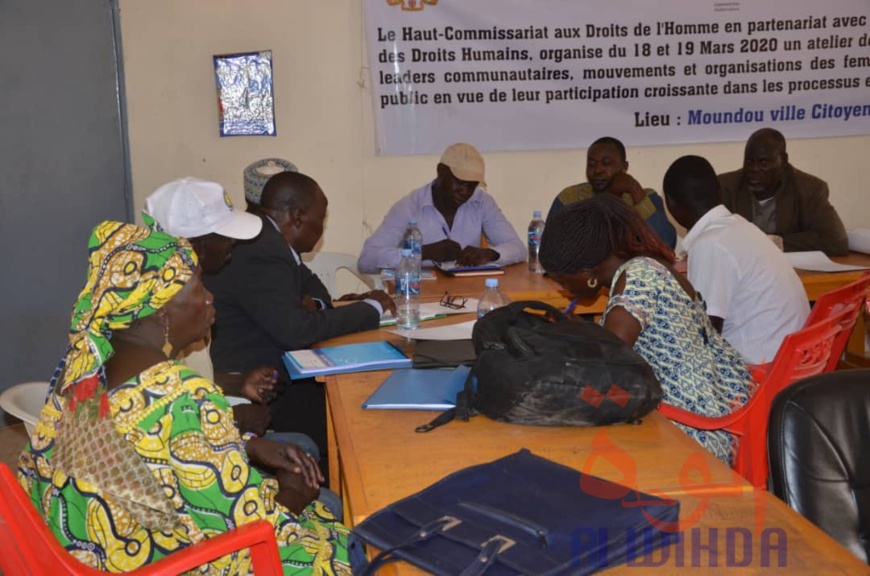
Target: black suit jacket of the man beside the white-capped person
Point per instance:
(258, 298)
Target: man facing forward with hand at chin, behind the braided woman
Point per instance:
(607, 171)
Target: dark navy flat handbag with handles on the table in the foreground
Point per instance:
(519, 515)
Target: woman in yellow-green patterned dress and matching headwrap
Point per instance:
(135, 455)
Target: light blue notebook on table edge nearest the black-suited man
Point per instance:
(341, 359)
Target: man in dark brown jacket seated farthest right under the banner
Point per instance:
(781, 200)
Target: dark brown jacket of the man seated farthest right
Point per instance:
(804, 217)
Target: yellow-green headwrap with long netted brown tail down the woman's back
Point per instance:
(132, 273)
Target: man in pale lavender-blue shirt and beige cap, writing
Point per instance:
(452, 212)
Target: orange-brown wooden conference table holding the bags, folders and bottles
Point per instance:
(376, 458)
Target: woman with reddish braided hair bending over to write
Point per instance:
(601, 243)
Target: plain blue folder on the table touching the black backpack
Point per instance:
(413, 389)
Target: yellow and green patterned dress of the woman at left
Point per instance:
(182, 427)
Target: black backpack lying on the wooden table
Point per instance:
(535, 366)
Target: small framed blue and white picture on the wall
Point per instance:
(246, 105)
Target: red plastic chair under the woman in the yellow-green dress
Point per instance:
(27, 545)
